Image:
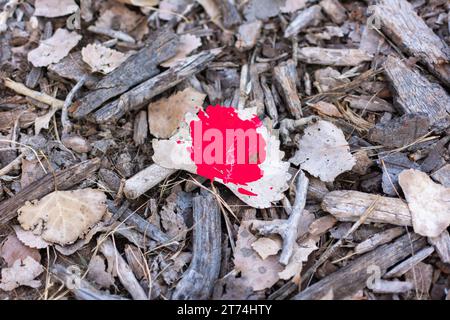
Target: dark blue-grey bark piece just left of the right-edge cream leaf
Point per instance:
(392, 165)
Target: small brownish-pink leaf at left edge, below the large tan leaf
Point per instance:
(12, 249)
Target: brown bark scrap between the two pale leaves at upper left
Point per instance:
(73, 68)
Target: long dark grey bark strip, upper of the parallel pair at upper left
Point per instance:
(137, 68)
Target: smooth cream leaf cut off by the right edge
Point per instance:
(429, 202)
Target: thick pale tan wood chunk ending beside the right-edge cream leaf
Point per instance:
(348, 205)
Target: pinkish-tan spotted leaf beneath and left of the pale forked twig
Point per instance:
(255, 272)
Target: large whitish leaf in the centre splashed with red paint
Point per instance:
(258, 191)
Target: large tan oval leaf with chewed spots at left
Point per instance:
(63, 216)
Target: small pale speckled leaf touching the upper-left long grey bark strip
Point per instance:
(102, 59)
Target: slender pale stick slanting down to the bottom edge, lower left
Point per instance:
(123, 270)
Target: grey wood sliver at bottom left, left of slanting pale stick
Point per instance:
(80, 287)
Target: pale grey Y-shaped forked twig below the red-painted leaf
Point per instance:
(288, 229)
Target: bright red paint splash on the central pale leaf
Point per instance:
(233, 158)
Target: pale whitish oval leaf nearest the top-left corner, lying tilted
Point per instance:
(53, 49)
